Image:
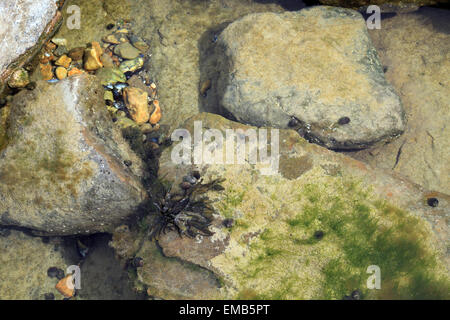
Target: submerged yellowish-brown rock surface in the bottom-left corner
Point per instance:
(23, 267)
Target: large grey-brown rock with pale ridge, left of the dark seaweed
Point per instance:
(63, 171)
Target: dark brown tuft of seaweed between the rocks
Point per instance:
(190, 214)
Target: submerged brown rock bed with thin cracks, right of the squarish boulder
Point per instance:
(415, 49)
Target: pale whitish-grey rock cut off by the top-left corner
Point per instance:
(24, 25)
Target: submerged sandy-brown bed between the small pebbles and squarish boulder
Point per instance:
(182, 48)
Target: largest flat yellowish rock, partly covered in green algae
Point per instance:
(311, 229)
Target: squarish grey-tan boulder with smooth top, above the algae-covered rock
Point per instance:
(317, 65)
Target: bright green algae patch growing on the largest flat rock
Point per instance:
(359, 231)
